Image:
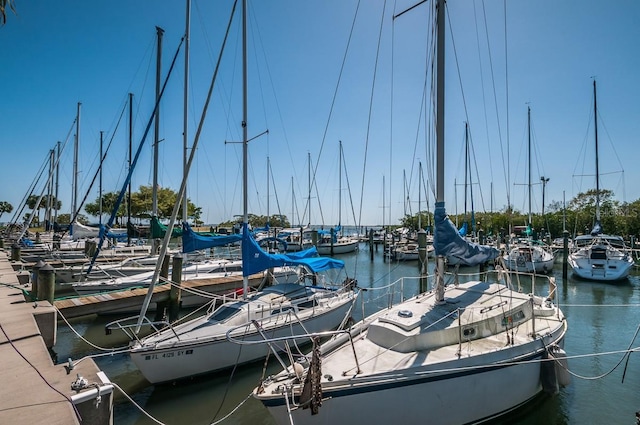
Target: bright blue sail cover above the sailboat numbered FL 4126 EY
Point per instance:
(255, 260)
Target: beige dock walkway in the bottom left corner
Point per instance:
(34, 390)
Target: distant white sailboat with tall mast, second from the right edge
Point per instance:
(529, 255)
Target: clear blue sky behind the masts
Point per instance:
(56, 54)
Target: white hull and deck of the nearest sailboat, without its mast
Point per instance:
(413, 385)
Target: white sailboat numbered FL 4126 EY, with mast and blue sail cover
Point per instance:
(201, 345)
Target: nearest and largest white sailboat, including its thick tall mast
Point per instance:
(460, 353)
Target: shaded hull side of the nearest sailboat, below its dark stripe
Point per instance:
(422, 395)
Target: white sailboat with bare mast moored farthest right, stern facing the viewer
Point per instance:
(598, 256)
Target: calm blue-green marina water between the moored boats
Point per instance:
(603, 318)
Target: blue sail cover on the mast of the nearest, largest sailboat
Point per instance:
(448, 242)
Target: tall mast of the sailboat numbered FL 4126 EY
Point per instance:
(245, 206)
